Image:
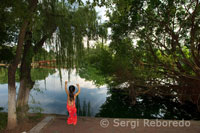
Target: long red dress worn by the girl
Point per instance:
(72, 119)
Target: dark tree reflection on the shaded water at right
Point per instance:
(149, 107)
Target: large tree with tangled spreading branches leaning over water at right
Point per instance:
(168, 31)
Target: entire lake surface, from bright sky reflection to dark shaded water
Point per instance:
(48, 96)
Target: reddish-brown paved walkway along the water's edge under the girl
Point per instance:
(112, 125)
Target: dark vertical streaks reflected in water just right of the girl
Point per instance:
(85, 110)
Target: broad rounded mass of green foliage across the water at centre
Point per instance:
(117, 64)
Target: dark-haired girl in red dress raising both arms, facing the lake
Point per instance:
(71, 106)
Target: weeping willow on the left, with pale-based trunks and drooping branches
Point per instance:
(60, 25)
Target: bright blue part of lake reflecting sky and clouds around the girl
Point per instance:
(49, 96)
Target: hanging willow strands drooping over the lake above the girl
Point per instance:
(77, 24)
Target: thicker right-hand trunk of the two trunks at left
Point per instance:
(26, 84)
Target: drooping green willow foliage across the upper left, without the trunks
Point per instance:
(69, 21)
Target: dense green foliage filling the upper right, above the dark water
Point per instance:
(167, 44)
